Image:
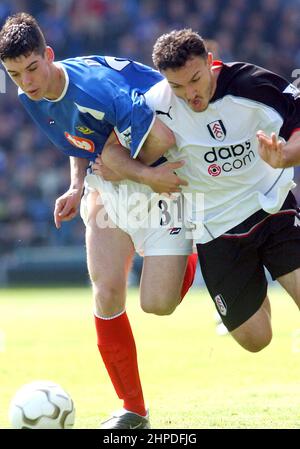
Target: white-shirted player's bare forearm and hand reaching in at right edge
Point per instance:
(277, 153)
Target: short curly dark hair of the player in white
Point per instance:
(174, 49)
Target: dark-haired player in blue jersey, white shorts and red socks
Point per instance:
(78, 103)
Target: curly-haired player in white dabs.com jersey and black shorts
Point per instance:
(222, 116)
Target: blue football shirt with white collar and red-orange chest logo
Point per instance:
(100, 94)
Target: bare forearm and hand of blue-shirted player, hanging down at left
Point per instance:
(66, 206)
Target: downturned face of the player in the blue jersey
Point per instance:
(31, 73)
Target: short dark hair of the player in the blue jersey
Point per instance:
(21, 36)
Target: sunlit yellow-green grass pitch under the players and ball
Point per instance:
(192, 378)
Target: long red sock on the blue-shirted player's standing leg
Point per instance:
(117, 347)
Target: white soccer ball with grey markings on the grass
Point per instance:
(42, 405)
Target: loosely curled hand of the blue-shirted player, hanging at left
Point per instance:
(66, 206)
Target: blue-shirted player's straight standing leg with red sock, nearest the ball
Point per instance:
(109, 254)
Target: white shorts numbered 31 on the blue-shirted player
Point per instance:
(154, 222)
